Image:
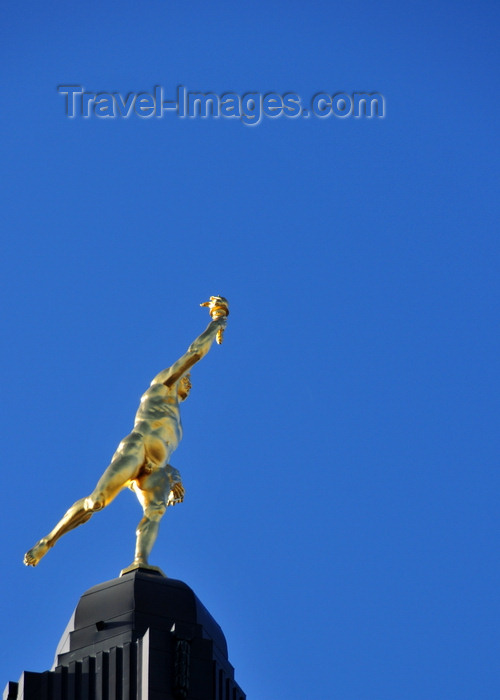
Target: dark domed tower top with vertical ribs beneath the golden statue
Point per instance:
(138, 637)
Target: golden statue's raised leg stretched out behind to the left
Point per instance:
(125, 464)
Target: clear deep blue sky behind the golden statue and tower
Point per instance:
(341, 447)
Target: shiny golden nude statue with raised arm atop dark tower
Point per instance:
(141, 459)
